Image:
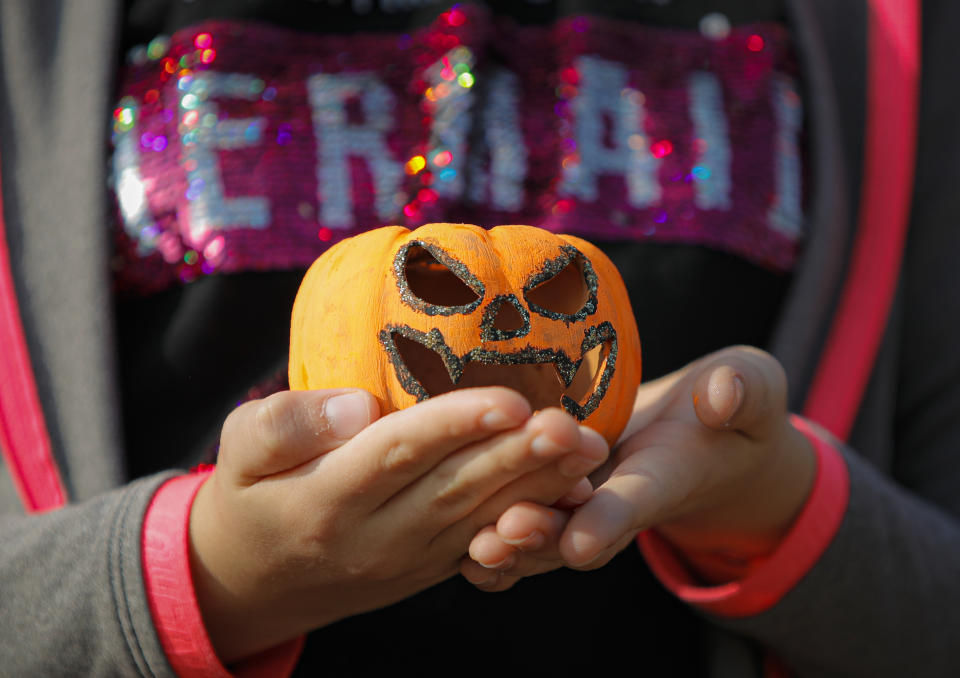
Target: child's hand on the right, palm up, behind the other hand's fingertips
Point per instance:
(709, 458)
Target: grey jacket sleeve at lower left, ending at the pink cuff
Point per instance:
(72, 601)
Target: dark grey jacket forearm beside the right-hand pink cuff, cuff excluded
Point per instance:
(882, 600)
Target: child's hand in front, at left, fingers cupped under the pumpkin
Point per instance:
(301, 524)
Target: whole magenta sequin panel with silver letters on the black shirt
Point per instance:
(243, 147)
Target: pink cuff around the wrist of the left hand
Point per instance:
(173, 604)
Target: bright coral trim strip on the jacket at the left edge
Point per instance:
(24, 441)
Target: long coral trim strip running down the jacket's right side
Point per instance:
(893, 46)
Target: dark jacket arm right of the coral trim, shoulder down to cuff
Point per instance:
(884, 597)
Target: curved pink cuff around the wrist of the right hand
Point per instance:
(767, 582)
